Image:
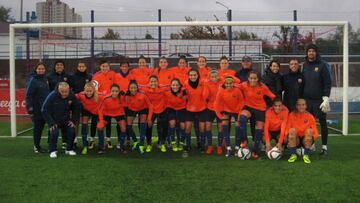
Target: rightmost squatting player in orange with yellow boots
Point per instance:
(301, 130)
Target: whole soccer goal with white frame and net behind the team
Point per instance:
(261, 40)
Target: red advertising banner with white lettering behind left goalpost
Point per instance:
(5, 102)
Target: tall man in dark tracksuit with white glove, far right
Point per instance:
(317, 87)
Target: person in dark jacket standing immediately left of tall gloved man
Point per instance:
(293, 84)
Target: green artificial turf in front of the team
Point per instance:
(165, 177)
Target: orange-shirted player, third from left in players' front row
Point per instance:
(137, 104)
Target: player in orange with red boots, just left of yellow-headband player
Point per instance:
(212, 86)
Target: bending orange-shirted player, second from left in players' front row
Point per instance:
(112, 107)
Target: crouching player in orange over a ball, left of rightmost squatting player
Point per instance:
(275, 124)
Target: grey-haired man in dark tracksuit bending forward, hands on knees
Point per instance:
(61, 110)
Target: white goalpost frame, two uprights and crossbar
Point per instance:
(343, 24)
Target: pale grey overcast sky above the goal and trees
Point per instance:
(146, 10)
